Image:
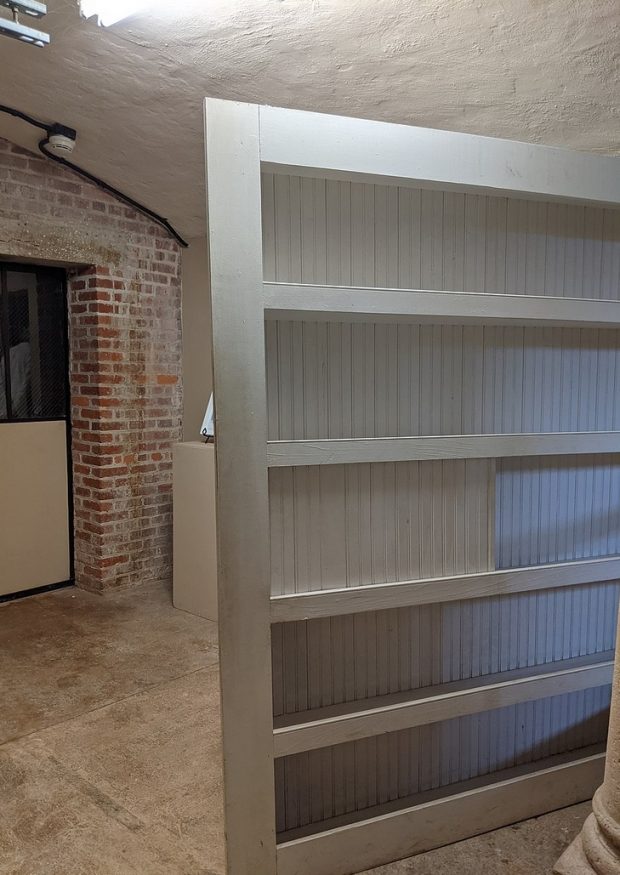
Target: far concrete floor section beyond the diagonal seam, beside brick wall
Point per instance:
(68, 652)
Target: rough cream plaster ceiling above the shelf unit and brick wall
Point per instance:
(537, 70)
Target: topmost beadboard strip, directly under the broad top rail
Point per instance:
(341, 233)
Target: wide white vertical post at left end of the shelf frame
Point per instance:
(235, 241)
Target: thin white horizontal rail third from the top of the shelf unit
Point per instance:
(349, 451)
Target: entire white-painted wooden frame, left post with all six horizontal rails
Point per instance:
(240, 138)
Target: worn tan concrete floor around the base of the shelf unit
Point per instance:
(110, 749)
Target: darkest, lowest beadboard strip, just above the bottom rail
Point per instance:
(356, 776)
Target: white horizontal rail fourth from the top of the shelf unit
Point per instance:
(377, 597)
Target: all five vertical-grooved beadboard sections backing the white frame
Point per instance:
(354, 525)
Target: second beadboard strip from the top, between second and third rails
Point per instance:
(334, 380)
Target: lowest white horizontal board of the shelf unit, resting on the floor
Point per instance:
(346, 845)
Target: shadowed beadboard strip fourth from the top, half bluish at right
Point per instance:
(329, 661)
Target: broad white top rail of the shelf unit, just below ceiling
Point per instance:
(294, 141)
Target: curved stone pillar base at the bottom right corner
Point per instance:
(597, 848)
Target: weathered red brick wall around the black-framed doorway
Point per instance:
(125, 360)
